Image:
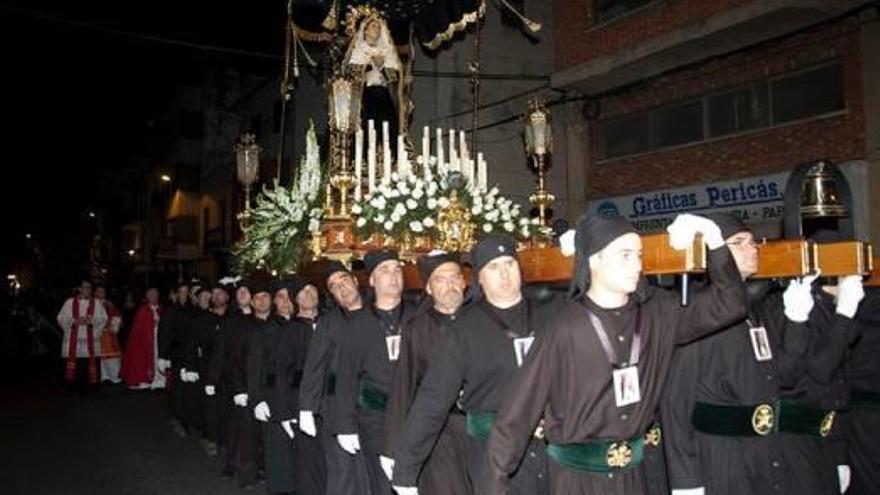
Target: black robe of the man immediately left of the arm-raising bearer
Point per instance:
(474, 365)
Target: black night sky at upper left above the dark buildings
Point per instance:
(78, 93)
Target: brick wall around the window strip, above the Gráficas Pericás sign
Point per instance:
(839, 137)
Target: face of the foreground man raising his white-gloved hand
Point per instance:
(618, 266)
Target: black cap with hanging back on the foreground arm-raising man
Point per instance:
(592, 234)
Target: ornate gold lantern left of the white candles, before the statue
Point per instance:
(345, 114)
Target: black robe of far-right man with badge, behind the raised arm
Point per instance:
(722, 369)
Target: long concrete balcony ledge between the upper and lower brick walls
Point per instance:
(725, 32)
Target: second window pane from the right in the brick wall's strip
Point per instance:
(739, 110)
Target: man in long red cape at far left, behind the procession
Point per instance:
(139, 364)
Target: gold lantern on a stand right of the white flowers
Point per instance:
(539, 143)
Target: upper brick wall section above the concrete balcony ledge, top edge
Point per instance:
(578, 40)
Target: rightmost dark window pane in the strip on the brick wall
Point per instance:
(807, 94)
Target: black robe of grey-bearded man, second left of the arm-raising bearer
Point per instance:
(445, 471)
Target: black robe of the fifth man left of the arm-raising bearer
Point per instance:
(308, 456)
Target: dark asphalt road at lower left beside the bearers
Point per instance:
(112, 442)
